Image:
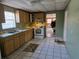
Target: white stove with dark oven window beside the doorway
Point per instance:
(39, 33)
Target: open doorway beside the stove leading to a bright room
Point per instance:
(51, 22)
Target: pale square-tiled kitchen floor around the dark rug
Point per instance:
(47, 49)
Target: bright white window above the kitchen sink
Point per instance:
(9, 20)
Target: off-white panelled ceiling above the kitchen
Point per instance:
(37, 5)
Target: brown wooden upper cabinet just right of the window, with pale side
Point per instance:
(22, 17)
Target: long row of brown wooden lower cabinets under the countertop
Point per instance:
(11, 43)
